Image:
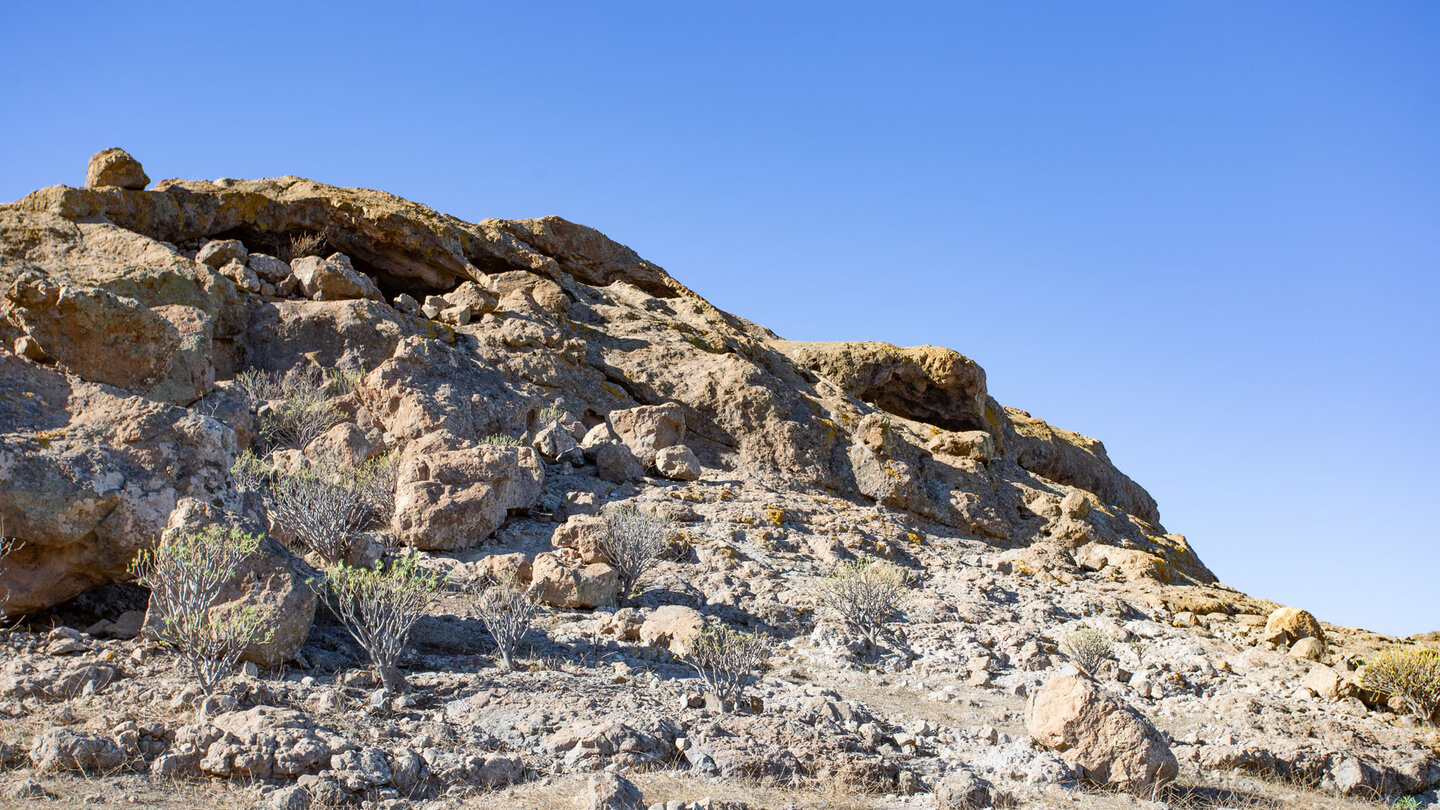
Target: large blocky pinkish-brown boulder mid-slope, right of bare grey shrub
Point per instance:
(453, 497)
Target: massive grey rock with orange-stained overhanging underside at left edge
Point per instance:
(93, 476)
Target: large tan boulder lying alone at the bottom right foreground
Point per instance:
(1108, 742)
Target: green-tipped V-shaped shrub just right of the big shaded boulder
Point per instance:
(379, 607)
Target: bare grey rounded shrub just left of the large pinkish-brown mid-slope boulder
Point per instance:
(323, 509)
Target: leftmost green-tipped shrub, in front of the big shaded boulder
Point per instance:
(186, 577)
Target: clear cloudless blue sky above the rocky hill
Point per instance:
(1205, 233)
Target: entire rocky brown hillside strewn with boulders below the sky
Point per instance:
(523, 378)
